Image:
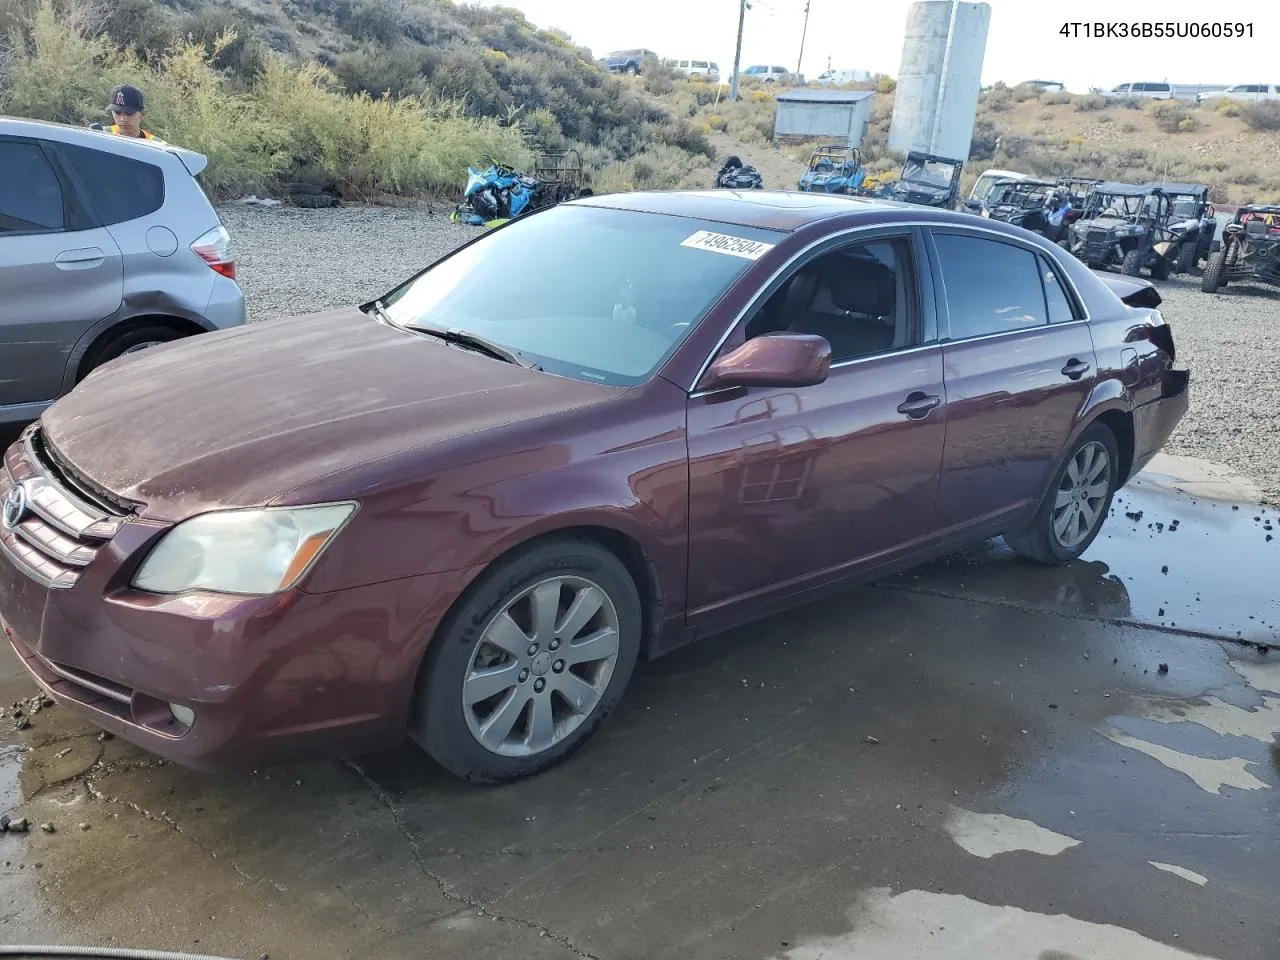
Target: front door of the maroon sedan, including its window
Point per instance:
(794, 486)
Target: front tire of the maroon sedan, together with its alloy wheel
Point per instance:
(531, 676)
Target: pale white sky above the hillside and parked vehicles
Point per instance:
(1023, 42)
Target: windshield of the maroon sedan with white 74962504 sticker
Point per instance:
(584, 292)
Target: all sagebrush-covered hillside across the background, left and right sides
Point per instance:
(400, 97)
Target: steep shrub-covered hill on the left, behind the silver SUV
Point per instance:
(376, 95)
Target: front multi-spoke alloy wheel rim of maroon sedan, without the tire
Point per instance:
(541, 666)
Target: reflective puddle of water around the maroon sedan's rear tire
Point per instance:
(1214, 573)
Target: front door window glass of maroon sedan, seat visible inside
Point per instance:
(861, 298)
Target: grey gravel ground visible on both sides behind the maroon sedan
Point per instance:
(295, 262)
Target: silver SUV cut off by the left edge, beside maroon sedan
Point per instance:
(107, 246)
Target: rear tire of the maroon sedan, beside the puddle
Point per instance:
(1039, 541)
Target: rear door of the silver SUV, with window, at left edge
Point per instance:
(60, 272)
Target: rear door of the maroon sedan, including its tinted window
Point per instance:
(1020, 367)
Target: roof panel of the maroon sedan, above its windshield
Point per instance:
(770, 211)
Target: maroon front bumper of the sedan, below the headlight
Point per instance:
(278, 679)
